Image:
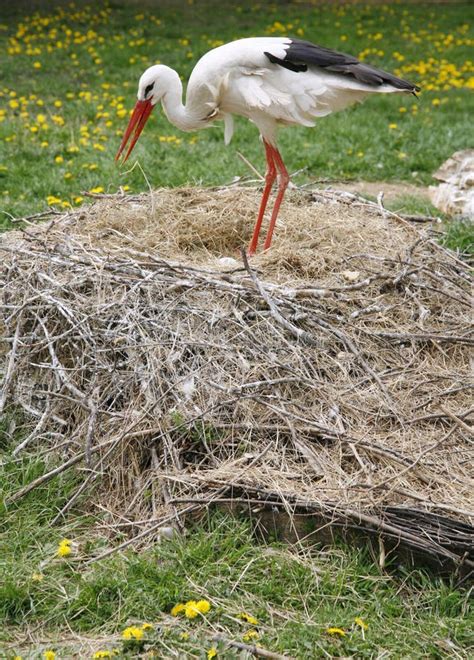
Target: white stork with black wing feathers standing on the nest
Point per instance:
(273, 81)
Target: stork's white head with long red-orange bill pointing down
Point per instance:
(151, 89)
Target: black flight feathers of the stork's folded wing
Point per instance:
(301, 54)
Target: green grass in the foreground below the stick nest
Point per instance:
(295, 593)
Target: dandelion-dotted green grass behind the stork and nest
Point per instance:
(97, 53)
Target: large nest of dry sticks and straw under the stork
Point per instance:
(321, 386)
